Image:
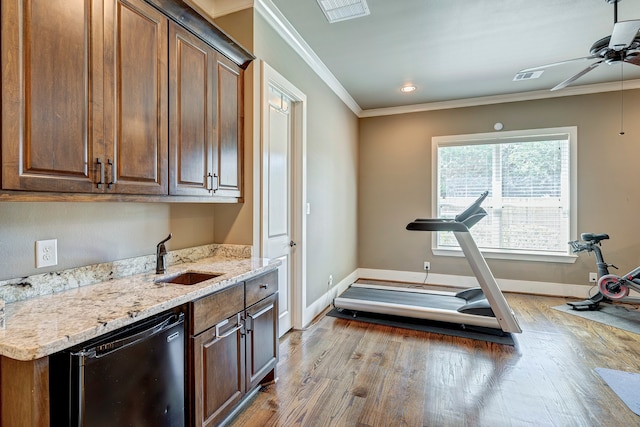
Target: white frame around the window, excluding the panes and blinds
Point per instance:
(572, 131)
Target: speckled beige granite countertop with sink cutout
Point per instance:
(46, 324)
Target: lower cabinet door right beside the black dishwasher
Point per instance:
(218, 370)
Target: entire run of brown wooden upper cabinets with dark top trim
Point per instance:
(92, 88)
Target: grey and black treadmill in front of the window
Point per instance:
(479, 308)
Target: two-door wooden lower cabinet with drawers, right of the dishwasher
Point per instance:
(231, 356)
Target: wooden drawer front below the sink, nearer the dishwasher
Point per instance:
(216, 307)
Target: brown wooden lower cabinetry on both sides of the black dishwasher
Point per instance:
(232, 350)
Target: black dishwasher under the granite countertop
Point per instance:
(131, 377)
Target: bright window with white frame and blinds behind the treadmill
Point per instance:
(530, 176)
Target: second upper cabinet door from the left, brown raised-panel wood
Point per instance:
(136, 98)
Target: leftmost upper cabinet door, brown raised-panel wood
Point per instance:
(51, 105)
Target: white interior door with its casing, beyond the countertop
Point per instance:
(283, 195)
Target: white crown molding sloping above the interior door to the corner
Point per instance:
(276, 19)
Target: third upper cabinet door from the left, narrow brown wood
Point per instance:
(192, 90)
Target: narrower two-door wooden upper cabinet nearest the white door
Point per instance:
(206, 118)
